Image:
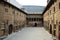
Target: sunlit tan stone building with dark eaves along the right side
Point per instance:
(51, 17)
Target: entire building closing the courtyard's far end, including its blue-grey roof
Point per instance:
(34, 15)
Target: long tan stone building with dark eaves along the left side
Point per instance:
(11, 18)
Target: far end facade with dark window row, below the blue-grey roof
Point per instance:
(33, 19)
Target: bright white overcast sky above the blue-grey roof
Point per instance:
(33, 2)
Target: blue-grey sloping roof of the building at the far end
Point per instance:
(31, 9)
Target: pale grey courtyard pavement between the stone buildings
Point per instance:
(30, 33)
